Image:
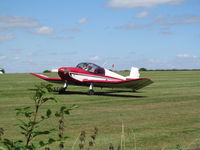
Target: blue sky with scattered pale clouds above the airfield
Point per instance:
(38, 35)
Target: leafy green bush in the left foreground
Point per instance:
(30, 125)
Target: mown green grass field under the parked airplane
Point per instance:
(160, 116)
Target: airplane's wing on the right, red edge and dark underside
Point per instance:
(131, 83)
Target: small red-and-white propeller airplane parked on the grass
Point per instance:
(89, 74)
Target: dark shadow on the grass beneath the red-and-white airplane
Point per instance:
(111, 94)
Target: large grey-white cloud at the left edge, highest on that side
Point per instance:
(10, 22)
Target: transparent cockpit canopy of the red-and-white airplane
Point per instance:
(92, 68)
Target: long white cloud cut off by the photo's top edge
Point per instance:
(140, 3)
